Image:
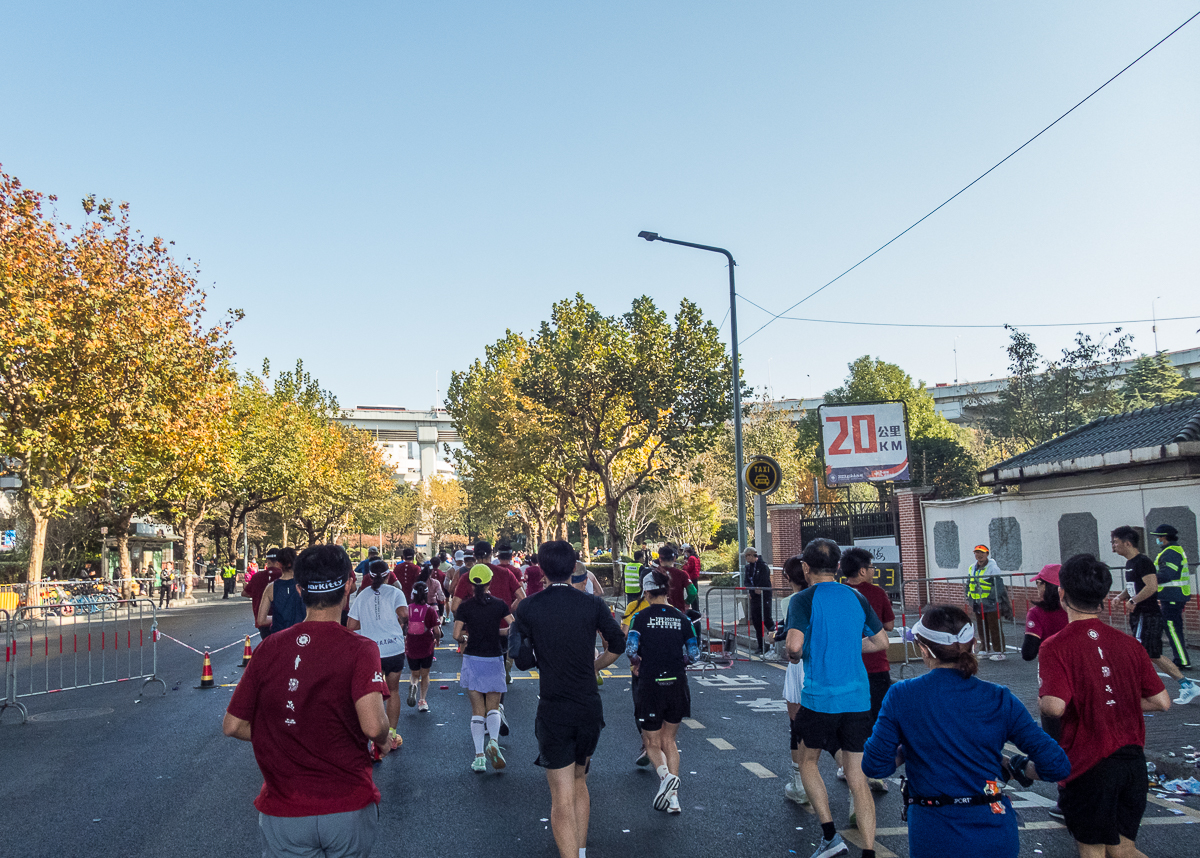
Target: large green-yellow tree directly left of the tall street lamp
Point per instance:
(629, 398)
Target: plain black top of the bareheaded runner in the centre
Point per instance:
(562, 625)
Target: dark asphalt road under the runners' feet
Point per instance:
(101, 772)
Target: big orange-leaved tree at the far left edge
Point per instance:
(103, 333)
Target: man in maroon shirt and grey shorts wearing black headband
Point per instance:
(309, 704)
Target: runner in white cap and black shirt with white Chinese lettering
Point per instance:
(662, 641)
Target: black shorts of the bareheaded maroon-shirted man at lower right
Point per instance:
(1108, 801)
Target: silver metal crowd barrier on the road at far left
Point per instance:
(47, 653)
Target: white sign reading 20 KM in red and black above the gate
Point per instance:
(865, 443)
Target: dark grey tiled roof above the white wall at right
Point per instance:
(1174, 423)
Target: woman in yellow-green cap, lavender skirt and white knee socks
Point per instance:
(483, 664)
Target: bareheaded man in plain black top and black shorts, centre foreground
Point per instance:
(561, 623)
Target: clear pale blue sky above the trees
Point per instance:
(386, 189)
